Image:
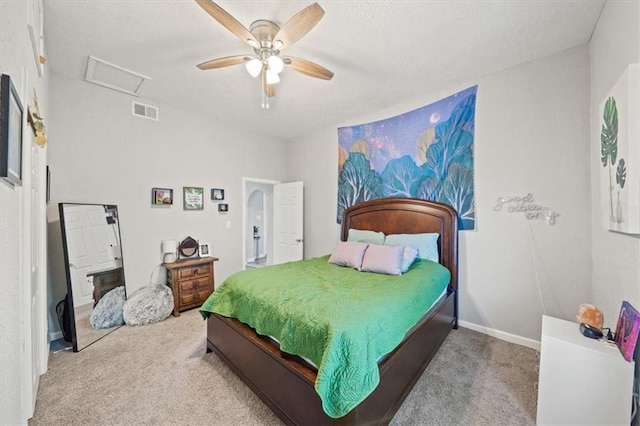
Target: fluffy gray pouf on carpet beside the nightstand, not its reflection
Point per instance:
(148, 304)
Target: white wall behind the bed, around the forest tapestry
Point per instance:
(532, 135)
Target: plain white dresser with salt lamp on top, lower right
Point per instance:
(582, 381)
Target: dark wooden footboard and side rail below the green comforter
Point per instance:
(287, 386)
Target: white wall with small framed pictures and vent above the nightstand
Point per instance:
(100, 153)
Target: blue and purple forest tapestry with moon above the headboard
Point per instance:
(426, 153)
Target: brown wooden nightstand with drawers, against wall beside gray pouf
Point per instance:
(191, 281)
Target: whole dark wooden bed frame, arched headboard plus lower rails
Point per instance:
(286, 383)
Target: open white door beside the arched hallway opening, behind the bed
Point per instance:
(288, 222)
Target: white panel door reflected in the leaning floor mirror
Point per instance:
(88, 242)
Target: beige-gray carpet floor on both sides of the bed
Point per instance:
(159, 374)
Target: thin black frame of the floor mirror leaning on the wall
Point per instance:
(65, 251)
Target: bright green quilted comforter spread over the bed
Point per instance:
(341, 319)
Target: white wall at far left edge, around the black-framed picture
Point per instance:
(16, 60)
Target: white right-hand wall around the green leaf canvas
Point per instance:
(616, 265)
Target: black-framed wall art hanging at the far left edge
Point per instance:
(10, 132)
